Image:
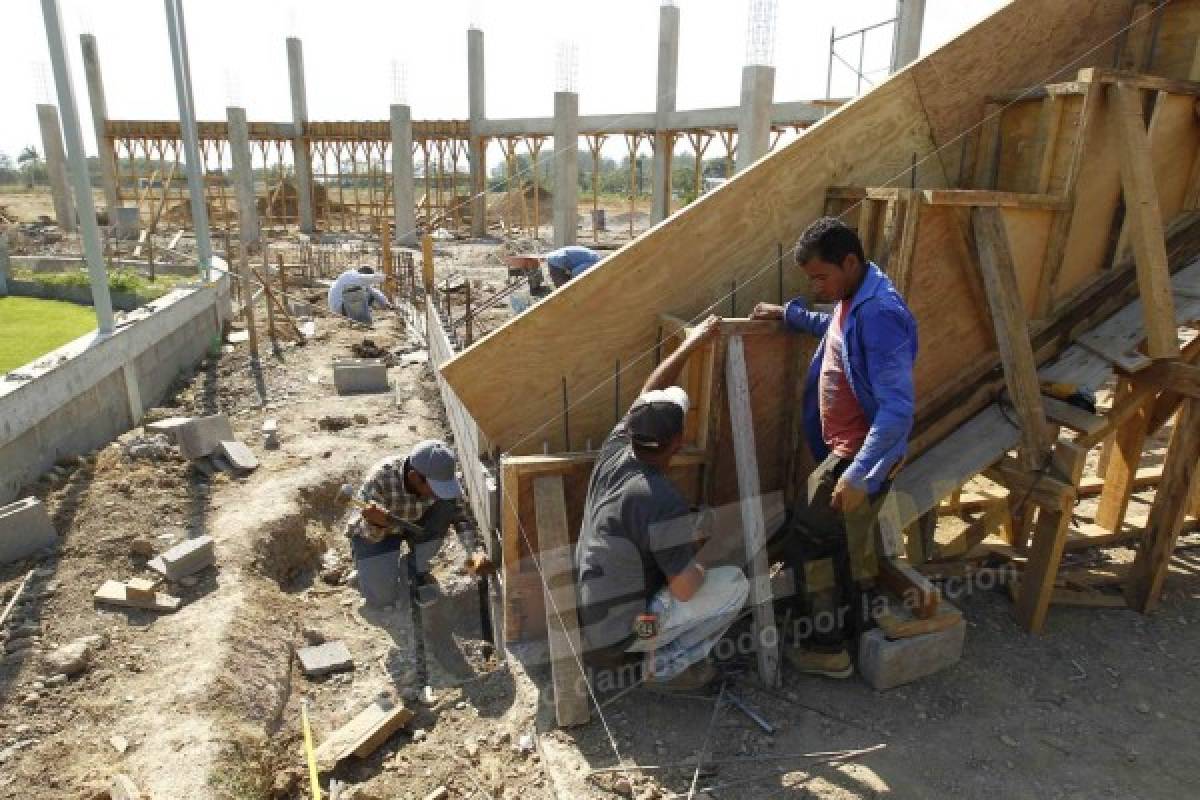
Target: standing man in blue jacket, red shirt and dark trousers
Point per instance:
(859, 413)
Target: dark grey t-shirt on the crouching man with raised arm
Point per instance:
(638, 533)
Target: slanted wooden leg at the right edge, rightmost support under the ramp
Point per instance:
(1149, 573)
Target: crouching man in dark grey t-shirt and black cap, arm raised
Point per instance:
(645, 592)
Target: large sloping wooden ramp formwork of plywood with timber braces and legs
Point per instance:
(1034, 190)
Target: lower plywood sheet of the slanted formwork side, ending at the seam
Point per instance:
(683, 266)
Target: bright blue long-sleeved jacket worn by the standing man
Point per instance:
(880, 348)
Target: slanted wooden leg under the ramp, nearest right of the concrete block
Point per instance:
(1049, 537)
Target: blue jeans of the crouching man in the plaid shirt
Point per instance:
(379, 563)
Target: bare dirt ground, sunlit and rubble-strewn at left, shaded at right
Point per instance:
(207, 702)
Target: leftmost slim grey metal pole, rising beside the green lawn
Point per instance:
(77, 161)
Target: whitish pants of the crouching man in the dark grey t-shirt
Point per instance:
(689, 629)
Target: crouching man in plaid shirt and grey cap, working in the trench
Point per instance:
(421, 489)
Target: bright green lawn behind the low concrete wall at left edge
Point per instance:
(32, 328)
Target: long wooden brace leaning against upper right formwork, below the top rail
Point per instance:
(1145, 221)
